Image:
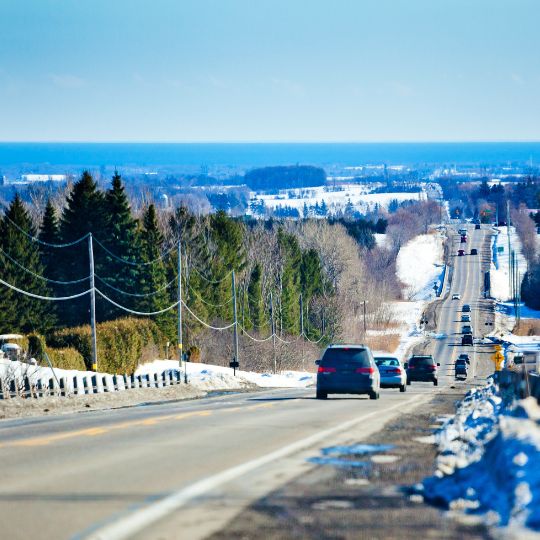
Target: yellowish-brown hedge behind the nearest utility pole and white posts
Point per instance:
(121, 344)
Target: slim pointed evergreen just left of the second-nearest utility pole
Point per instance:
(153, 277)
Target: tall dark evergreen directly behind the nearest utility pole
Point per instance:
(84, 213)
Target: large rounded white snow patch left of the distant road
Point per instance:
(420, 264)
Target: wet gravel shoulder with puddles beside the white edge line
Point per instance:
(364, 501)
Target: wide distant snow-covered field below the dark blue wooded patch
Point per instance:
(358, 195)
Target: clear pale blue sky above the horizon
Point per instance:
(269, 70)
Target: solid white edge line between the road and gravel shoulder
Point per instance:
(139, 520)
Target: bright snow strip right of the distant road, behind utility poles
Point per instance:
(500, 286)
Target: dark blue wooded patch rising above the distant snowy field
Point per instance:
(283, 177)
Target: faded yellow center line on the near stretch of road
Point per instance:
(96, 431)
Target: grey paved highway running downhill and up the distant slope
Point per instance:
(184, 469)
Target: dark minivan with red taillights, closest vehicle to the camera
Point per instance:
(347, 369)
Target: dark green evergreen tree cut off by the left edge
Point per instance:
(18, 312)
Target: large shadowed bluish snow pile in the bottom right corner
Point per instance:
(489, 461)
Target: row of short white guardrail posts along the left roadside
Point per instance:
(78, 385)
